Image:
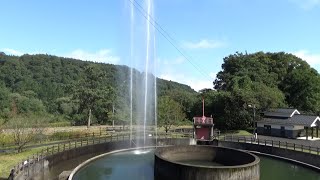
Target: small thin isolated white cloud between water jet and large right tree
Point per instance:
(204, 44)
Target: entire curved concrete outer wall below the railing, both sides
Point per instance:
(40, 170)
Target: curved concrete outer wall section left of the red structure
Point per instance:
(42, 169)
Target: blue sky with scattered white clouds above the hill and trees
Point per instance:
(205, 30)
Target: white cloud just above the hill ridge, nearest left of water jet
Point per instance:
(103, 56)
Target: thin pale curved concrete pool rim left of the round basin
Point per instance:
(83, 164)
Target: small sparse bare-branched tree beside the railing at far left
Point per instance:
(25, 129)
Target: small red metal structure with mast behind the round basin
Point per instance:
(203, 127)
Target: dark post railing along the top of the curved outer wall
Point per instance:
(27, 165)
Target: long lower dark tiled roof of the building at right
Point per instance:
(303, 120)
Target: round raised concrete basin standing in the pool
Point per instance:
(205, 163)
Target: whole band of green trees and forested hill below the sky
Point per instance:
(69, 91)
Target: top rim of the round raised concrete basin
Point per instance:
(255, 162)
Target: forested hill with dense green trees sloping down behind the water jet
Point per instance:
(46, 83)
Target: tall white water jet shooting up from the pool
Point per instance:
(142, 85)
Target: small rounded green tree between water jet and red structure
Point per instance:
(169, 113)
